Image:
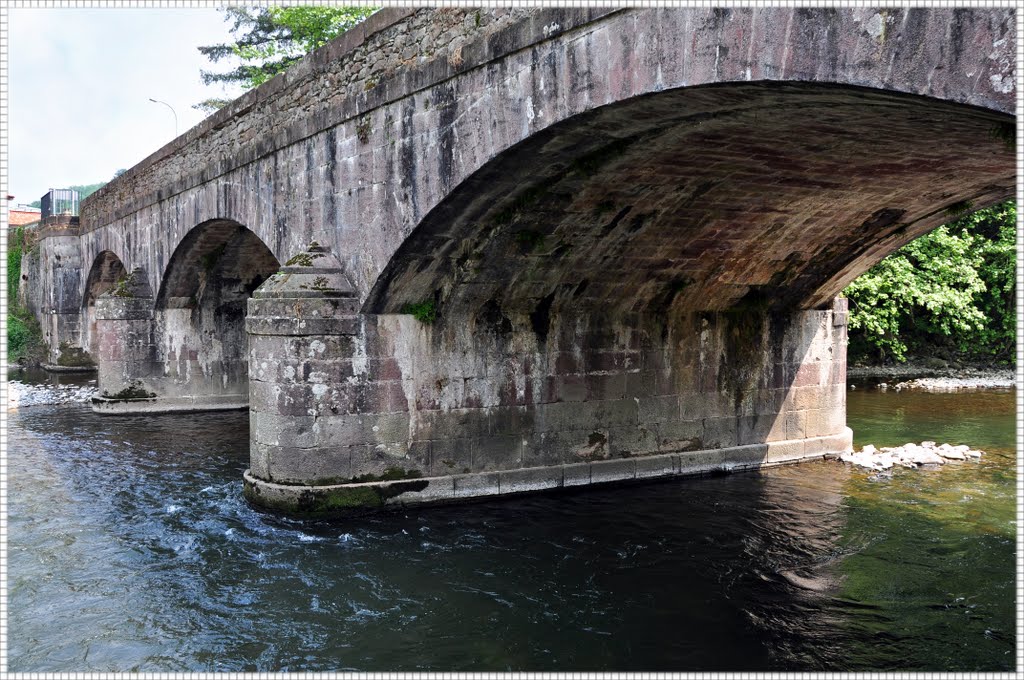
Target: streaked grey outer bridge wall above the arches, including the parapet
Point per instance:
(356, 157)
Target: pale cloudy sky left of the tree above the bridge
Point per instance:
(80, 82)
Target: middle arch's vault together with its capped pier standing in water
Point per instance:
(185, 349)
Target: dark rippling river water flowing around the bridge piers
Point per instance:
(131, 548)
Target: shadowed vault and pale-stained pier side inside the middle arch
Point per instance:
(200, 312)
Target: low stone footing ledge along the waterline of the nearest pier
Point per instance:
(362, 498)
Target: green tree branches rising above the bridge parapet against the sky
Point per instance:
(271, 39)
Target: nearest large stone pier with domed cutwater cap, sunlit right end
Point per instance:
(360, 411)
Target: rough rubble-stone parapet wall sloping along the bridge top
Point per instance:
(392, 55)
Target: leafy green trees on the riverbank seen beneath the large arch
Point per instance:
(950, 292)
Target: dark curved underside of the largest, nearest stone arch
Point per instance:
(702, 199)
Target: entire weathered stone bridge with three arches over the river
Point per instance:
(457, 253)
